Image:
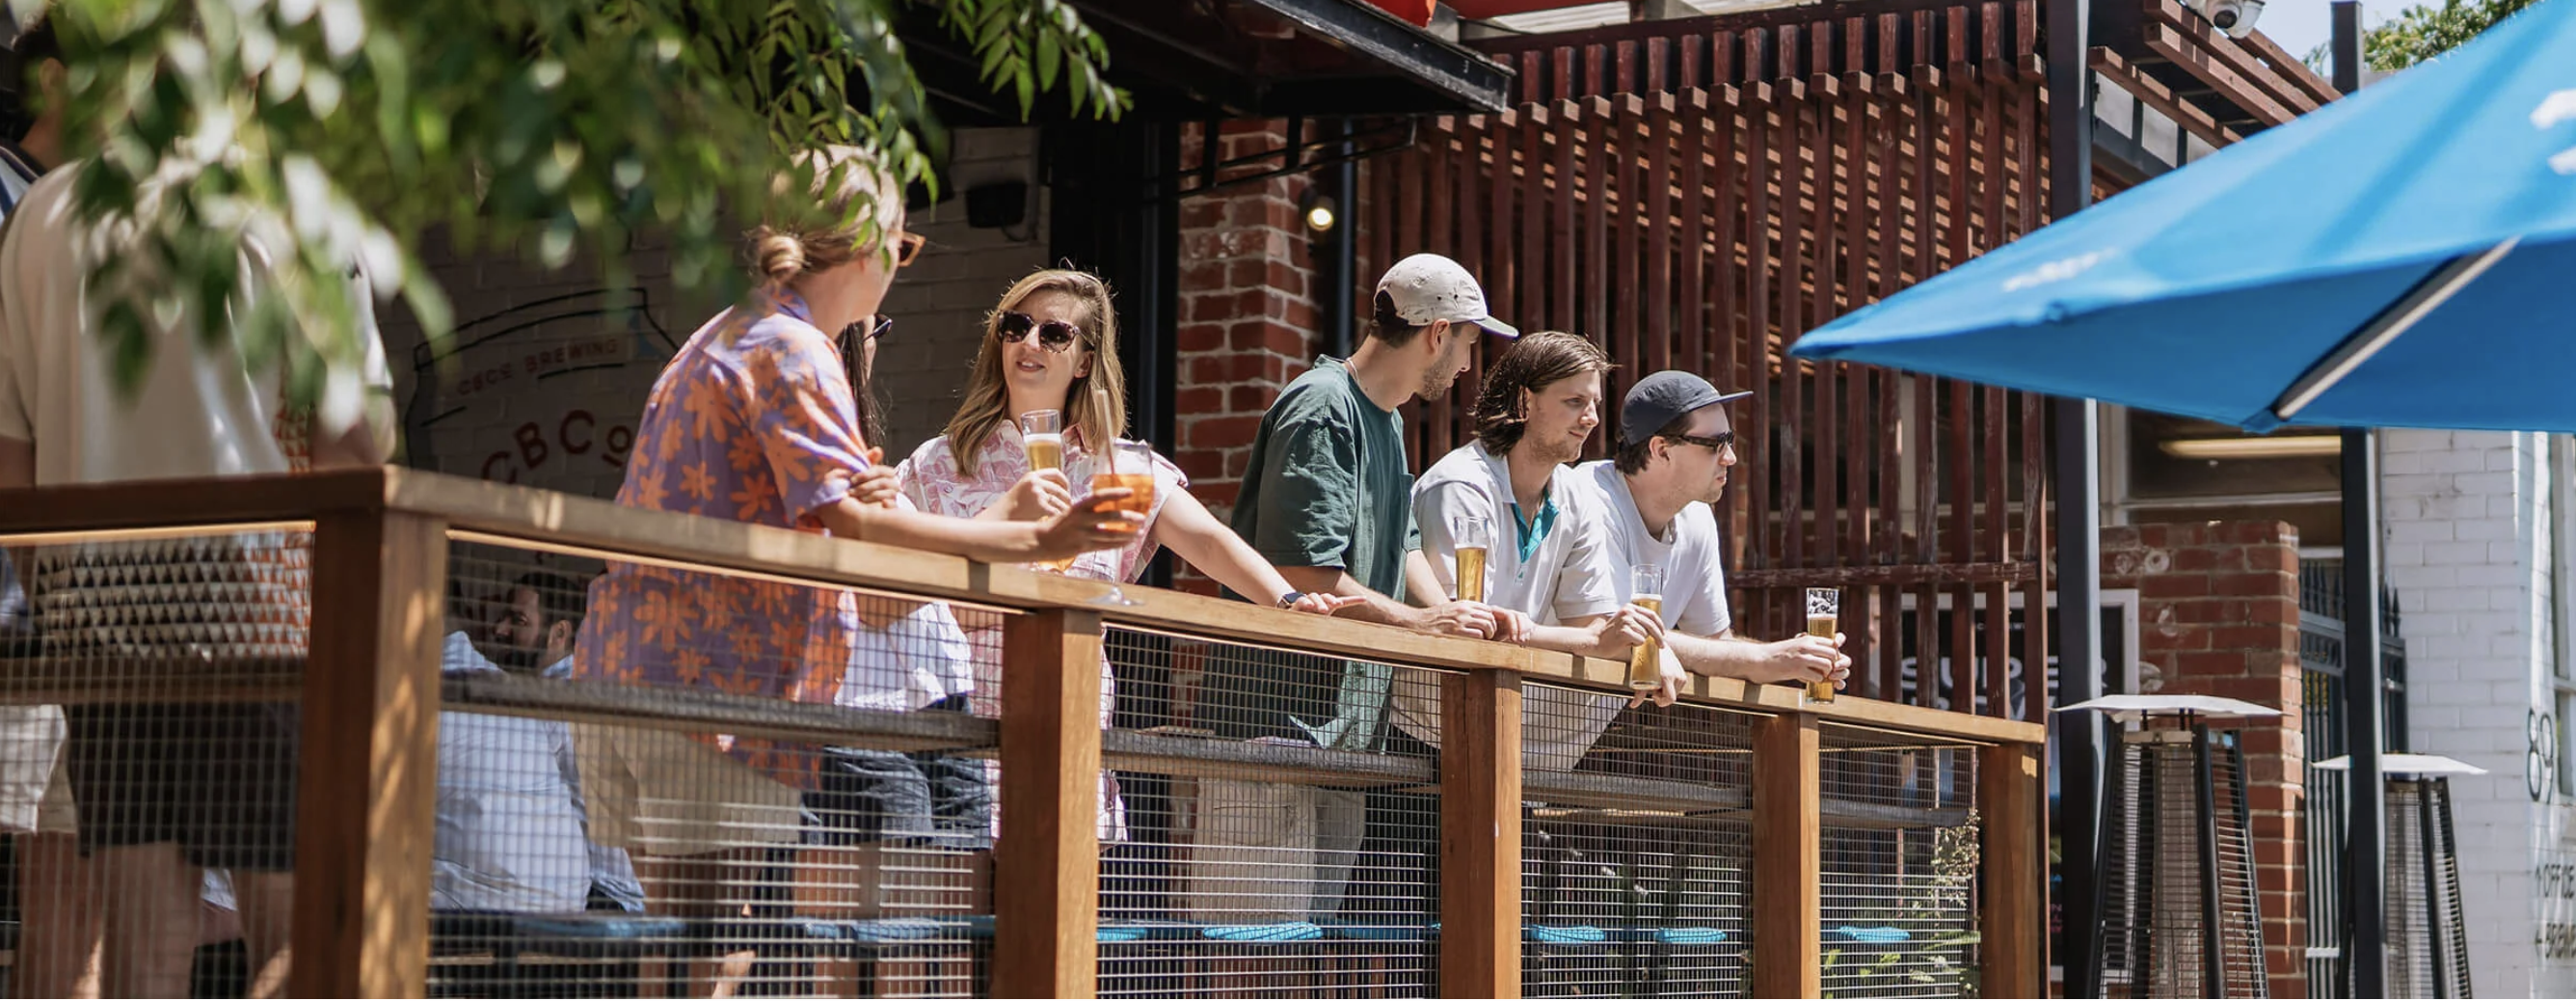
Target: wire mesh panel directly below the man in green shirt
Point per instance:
(1279, 824)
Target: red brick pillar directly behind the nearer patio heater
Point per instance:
(2219, 615)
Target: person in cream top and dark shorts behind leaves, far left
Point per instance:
(153, 809)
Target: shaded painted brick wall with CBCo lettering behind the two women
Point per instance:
(563, 424)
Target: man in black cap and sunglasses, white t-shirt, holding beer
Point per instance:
(1671, 468)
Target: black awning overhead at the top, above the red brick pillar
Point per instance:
(1245, 61)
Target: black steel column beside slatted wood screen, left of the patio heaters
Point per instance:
(2078, 455)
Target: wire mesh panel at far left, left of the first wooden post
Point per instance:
(148, 744)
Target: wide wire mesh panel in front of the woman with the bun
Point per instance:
(684, 780)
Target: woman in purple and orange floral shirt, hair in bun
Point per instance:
(756, 422)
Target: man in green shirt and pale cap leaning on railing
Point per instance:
(1328, 499)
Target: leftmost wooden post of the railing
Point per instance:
(370, 757)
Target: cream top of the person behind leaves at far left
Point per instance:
(197, 409)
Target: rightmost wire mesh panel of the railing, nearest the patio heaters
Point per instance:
(1900, 866)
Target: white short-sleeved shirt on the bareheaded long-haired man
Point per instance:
(1567, 574)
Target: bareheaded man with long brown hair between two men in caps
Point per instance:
(1549, 553)
